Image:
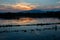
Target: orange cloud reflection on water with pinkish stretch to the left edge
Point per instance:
(21, 21)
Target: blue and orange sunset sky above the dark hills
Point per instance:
(21, 5)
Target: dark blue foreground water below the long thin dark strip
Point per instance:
(46, 32)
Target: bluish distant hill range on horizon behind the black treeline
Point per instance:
(33, 11)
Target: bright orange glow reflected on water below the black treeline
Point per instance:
(27, 20)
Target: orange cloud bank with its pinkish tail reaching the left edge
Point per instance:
(19, 6)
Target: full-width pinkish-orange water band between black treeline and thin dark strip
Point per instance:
(24, 21)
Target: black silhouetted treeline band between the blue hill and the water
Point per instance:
(18, 15)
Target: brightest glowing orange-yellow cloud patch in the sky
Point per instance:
(23, 6)
